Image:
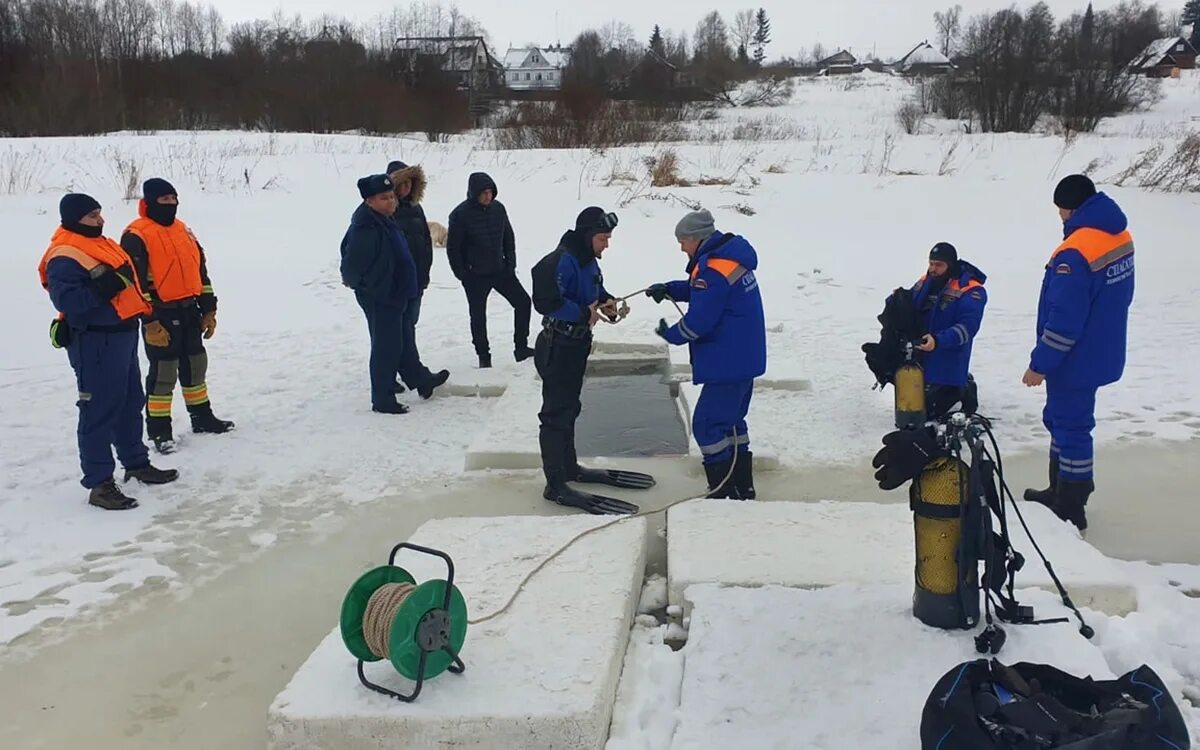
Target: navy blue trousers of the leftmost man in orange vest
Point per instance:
(111, 403)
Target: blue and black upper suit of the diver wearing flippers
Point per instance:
(568, 281)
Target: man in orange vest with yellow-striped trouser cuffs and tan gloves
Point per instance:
(173, 273)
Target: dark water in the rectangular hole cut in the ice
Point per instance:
(629, 416)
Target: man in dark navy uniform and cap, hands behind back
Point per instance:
(379, 266)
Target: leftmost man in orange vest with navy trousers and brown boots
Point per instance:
(93, 286)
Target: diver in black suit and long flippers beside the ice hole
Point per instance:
(569, 291)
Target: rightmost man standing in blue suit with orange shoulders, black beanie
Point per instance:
(1083, 319)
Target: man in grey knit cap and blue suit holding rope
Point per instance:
(727, 334)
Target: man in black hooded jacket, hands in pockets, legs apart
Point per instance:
(483, 256)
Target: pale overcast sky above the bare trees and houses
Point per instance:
(889, 27)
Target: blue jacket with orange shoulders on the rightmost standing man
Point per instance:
(1087, 292)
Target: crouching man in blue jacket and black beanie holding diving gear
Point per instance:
(950, 303)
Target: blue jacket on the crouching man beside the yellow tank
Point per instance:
(955, 322)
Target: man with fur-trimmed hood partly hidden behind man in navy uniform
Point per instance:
(410, 217)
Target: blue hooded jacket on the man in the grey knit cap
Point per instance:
(725, 327)
